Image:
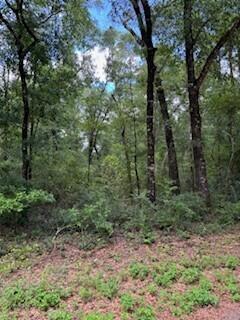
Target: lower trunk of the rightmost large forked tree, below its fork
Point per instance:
(200, 171)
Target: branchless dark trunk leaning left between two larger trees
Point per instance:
(172, 155)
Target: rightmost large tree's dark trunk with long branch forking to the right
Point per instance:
(194, 85)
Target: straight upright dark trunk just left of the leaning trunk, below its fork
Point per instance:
(151, 69)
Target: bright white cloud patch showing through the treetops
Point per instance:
(99, 59)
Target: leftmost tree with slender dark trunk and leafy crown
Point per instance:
(26, 27)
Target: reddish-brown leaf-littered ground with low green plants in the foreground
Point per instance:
(196, 278)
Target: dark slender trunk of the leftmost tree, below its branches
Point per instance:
(25, 121)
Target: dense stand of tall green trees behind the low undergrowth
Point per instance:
(163, 116)
